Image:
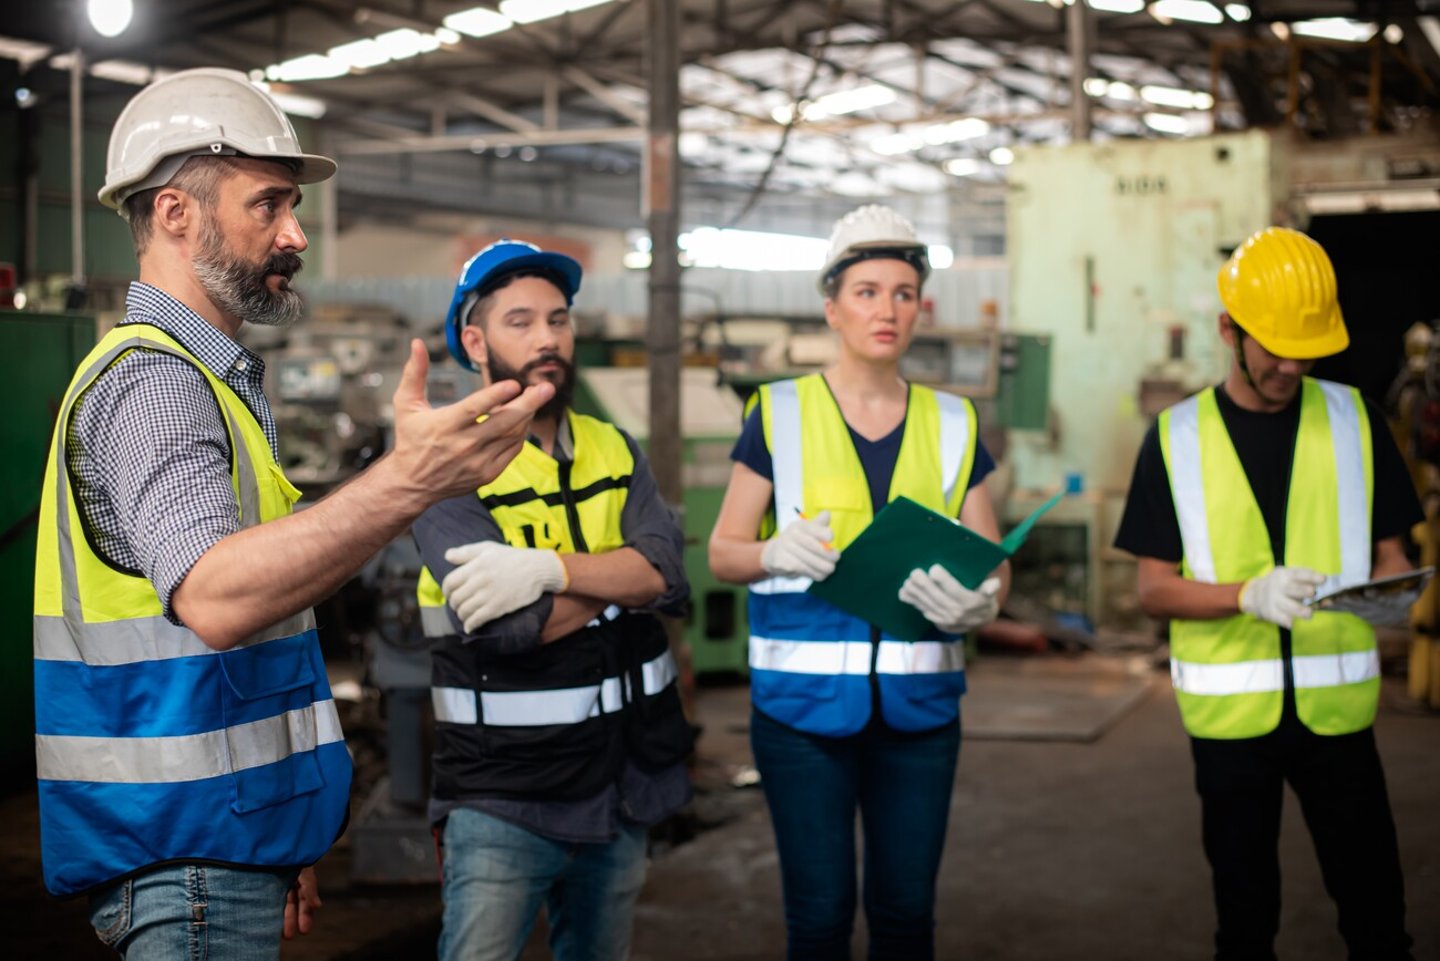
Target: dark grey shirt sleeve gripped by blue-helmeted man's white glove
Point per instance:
(463, 521)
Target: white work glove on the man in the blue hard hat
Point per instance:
(493, 580)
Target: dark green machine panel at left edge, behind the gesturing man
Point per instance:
(44, 352)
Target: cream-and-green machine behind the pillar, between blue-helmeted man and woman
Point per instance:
(716, 630)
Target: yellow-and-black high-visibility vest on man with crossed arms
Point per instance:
(555, 723)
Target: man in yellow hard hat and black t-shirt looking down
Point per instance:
(1246, 501)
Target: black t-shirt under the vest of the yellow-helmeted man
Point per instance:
(1265, 444)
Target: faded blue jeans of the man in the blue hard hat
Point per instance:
(498, 875)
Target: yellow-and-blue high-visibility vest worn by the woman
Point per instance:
(811, 663)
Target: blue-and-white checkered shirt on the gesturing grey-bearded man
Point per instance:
(149, 452)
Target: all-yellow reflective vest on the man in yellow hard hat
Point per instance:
(1229, 674)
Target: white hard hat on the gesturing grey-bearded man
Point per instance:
(201, 113)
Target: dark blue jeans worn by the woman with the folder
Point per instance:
(902, 785)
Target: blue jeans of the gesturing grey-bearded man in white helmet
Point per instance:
(195, 913)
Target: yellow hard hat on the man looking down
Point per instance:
(1279, 286)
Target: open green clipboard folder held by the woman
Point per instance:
(905, 537)
